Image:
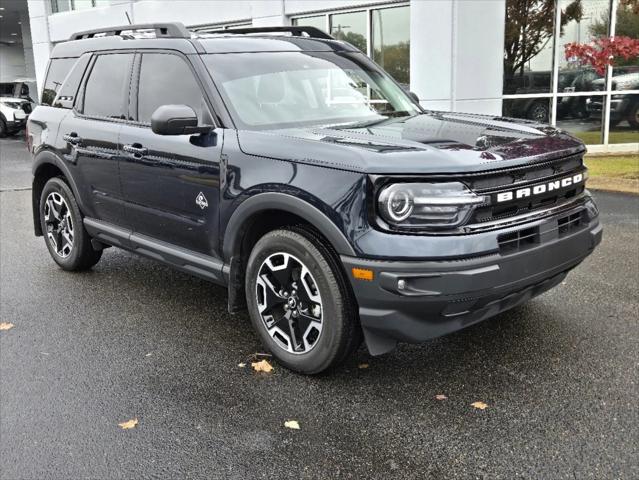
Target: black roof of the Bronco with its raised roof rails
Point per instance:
(174, 36)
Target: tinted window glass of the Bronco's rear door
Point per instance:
(107, 87)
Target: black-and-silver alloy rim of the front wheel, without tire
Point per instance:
(289, 303)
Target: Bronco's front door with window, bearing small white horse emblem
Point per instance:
(170, 183)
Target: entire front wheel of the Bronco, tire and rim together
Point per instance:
(323, 296)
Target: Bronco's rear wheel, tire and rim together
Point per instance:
(64, 234)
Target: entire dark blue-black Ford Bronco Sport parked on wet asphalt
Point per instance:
(289, 167)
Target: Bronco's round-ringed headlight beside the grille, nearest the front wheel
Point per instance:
(427, 205)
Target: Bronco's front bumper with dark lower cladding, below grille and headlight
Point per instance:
(412, 301)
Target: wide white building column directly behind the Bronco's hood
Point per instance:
(457, 51)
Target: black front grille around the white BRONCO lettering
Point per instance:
(533, 177)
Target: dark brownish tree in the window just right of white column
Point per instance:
(529, 27)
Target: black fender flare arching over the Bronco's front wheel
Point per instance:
(288, 203)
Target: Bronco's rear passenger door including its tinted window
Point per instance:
(91, 134)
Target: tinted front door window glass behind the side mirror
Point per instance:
(166, 79)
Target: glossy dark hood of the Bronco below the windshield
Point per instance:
(433, 142)
